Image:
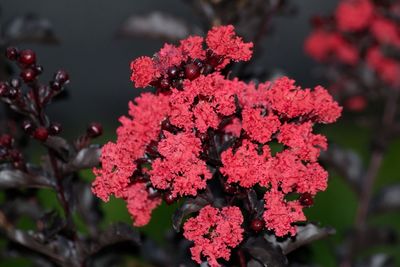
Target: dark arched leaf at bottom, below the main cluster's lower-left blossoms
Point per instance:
(116, 233)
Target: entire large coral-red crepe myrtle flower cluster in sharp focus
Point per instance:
(200, 129)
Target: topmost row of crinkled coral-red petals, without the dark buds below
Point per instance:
(222, 41)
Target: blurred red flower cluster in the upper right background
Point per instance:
(359, 25)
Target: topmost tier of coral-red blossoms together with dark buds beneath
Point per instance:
(189, 59)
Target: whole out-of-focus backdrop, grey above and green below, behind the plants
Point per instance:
(98, 64)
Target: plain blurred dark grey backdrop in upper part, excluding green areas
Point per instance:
(98, 62)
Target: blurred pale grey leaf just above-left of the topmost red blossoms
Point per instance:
(154, 25)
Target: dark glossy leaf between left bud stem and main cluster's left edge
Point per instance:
(86, 158)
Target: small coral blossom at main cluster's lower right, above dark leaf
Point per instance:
(280, 214)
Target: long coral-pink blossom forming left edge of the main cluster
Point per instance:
(118, 159)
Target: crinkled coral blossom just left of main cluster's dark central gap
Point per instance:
(180, 170)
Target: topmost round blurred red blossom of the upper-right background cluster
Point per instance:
(354, 15)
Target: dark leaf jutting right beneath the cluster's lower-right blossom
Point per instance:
(305, 235)
